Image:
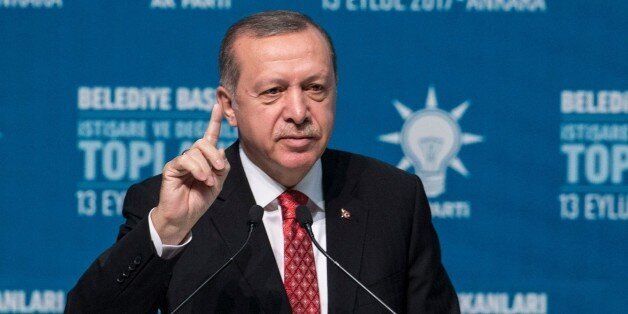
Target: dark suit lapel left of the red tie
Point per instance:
(229, 216)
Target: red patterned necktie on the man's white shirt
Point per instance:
(299, 268)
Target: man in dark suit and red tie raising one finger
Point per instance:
(278, 86)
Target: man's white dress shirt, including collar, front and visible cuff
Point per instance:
(266, 191)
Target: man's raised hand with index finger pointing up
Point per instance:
(190, 184)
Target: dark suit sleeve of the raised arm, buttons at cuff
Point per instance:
(129, 276)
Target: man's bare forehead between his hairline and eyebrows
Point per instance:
(288, 51)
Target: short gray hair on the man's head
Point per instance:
(259, 25)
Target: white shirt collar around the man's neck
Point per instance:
(265, 189)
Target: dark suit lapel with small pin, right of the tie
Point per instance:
(345, 236)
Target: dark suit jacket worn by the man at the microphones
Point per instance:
(389, 243)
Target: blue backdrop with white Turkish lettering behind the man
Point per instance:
(514, 113)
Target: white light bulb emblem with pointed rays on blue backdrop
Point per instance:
(431, 139)
